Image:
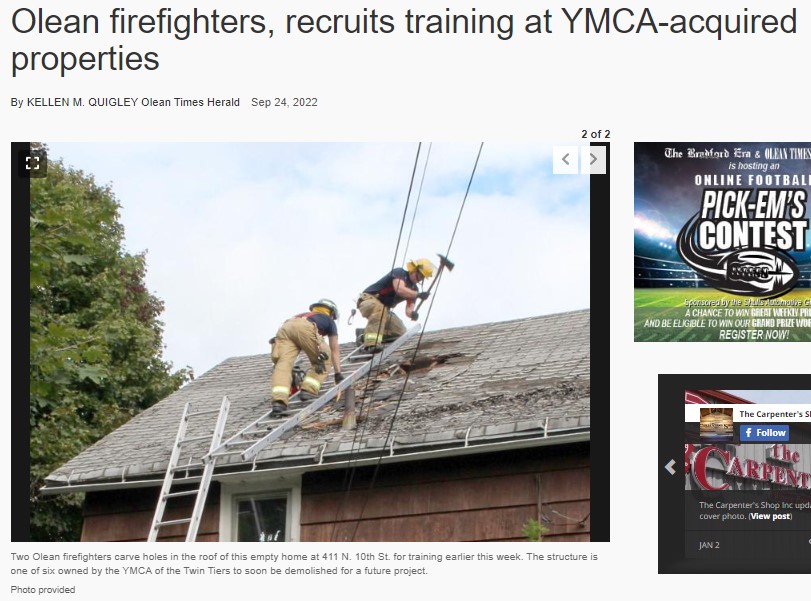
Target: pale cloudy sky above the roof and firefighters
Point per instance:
(239, 237)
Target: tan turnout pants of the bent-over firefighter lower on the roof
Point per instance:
(295, 335)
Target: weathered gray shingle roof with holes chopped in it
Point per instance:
(488, 382)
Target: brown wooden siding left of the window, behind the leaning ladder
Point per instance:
(126, 515)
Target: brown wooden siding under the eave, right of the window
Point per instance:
(479, 498)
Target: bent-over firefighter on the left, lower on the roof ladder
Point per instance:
(305, 332)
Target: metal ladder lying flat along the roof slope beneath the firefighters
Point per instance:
(254, 437)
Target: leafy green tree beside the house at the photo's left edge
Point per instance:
(95, 337)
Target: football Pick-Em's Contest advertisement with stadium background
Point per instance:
(722, 249)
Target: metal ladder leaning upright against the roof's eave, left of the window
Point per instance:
(175, 467)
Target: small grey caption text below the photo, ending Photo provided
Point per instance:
(50, 573)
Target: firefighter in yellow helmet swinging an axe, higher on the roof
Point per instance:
(378, 300)
